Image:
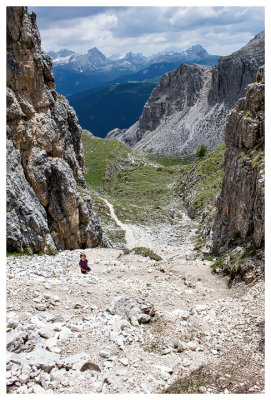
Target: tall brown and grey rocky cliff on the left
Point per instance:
(45, 164)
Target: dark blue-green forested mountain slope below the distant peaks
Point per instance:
(101, 110)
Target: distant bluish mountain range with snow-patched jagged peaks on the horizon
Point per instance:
(76, 72)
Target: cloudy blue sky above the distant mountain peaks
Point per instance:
(220, 30)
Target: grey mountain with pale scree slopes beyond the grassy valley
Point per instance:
(190, 105)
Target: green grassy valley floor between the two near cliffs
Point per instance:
(140, 189)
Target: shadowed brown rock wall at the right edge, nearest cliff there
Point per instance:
(240, 206)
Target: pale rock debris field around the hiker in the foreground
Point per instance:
(132, 325)
